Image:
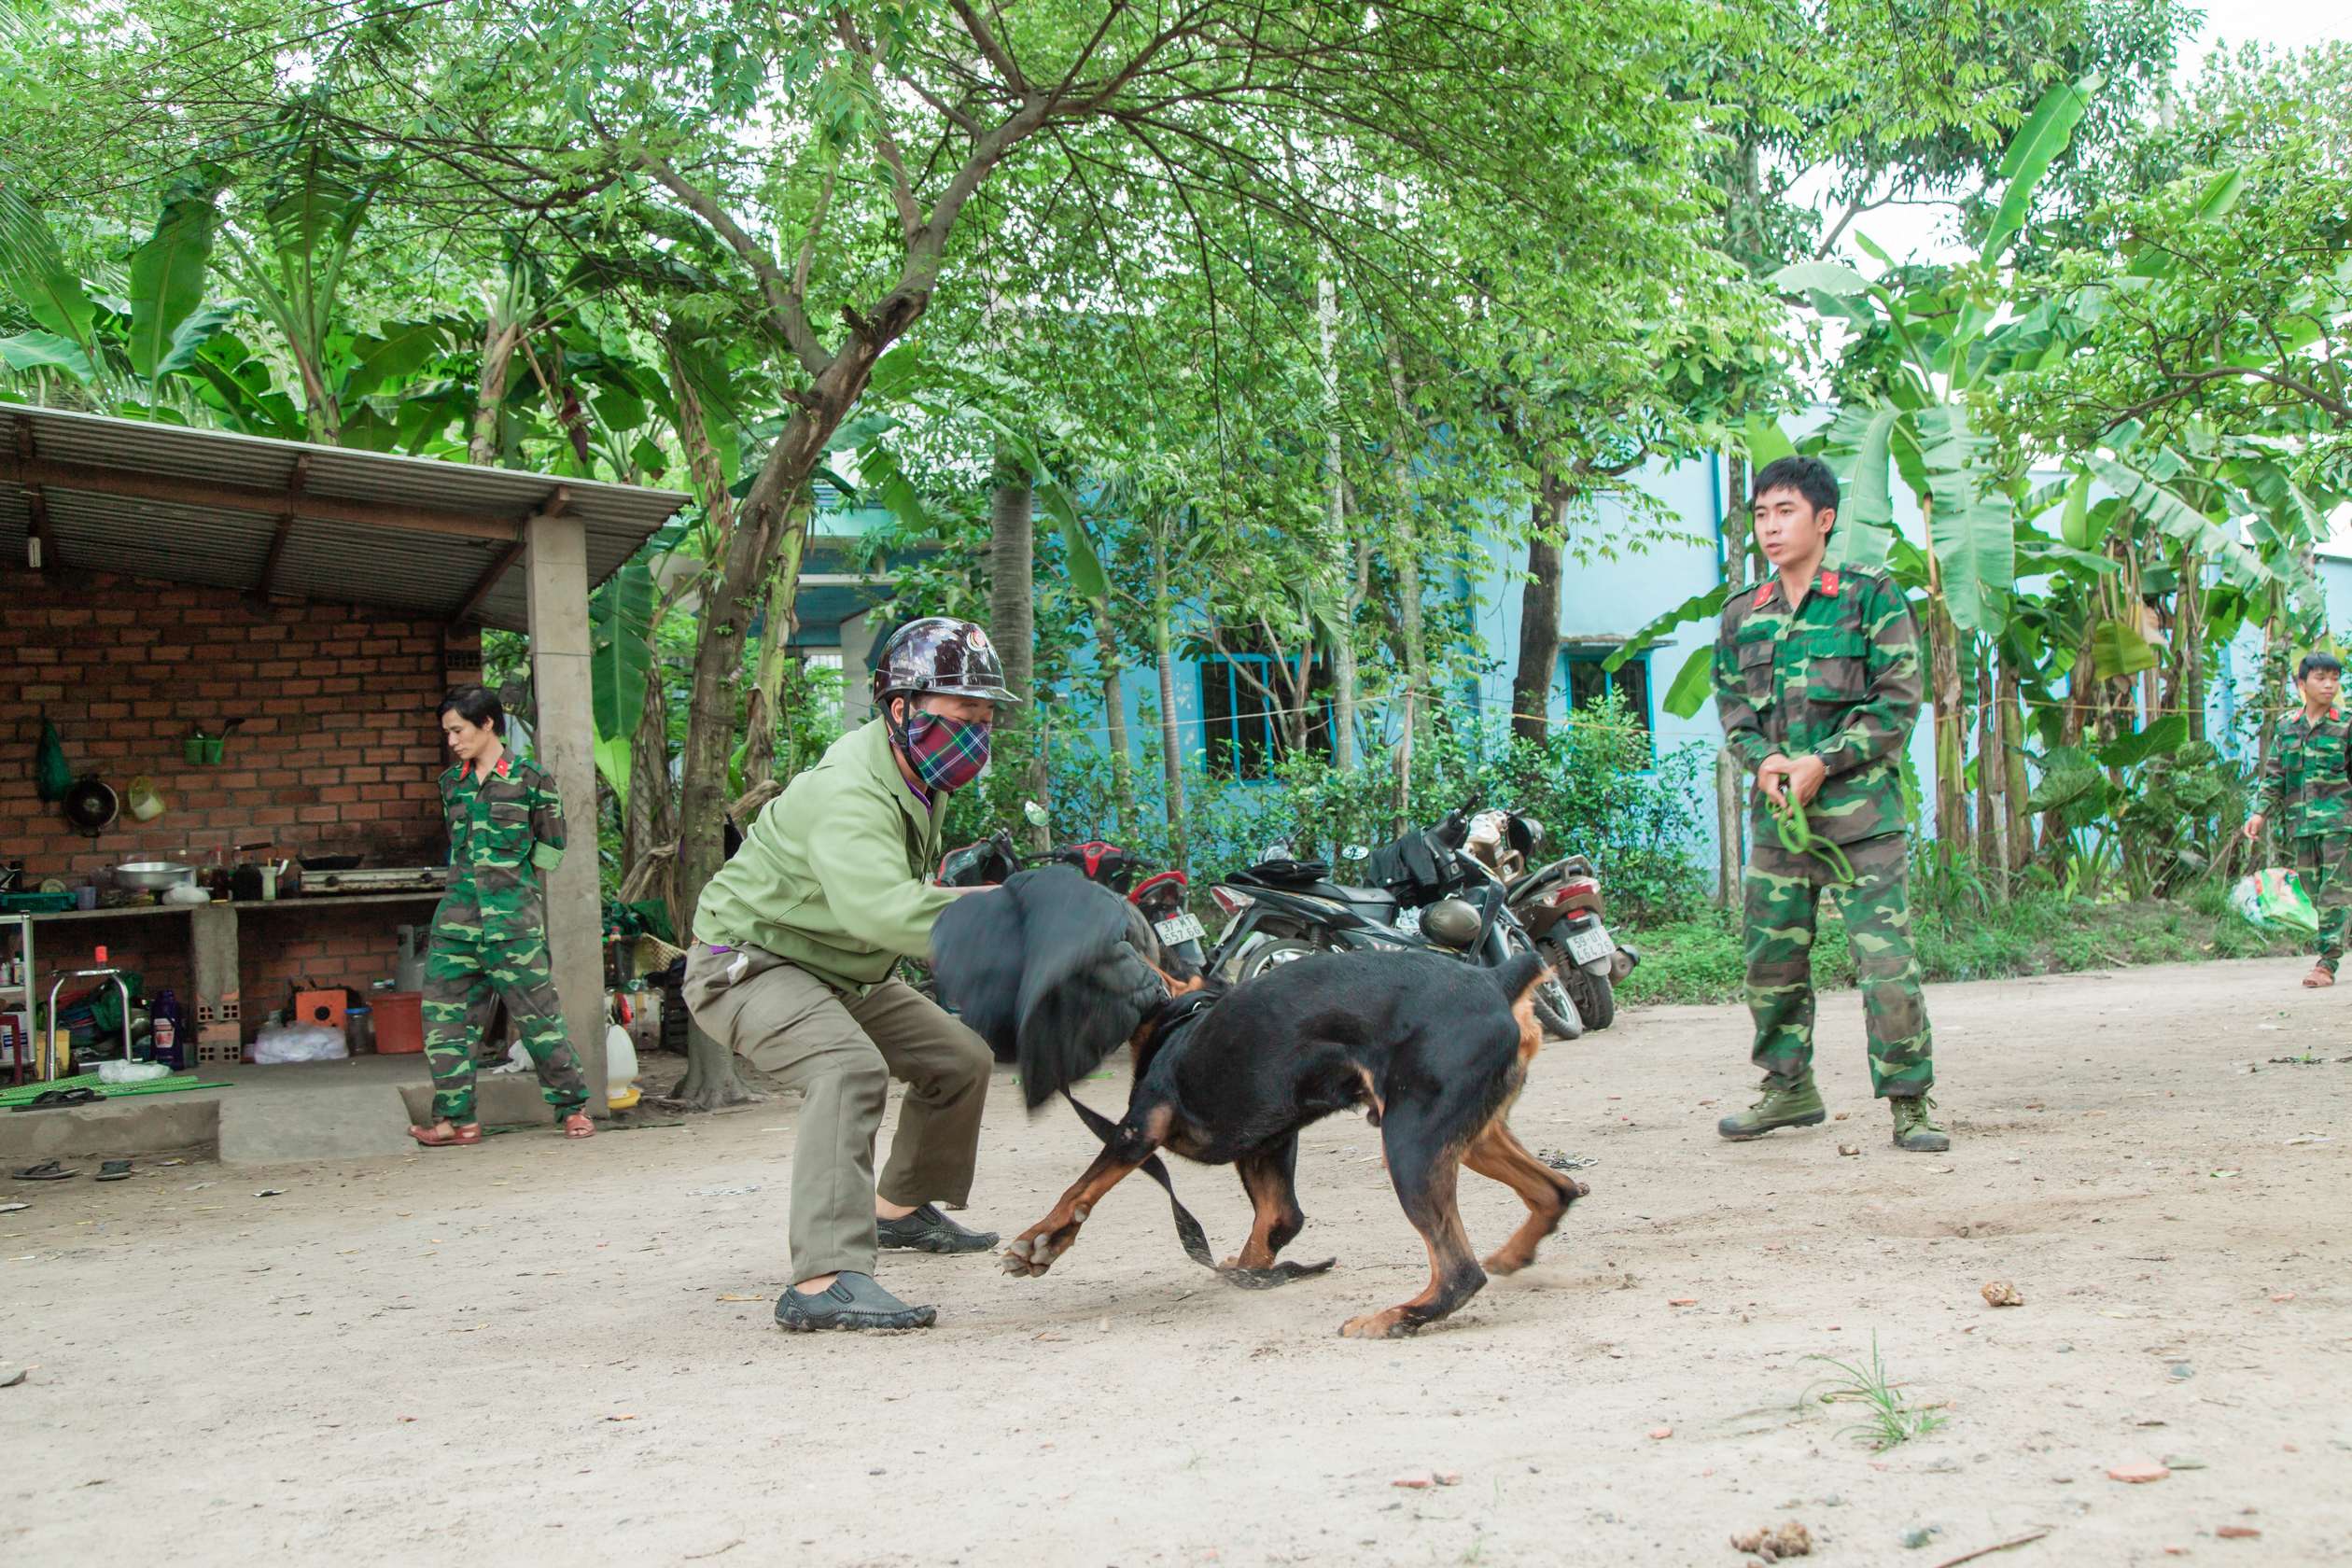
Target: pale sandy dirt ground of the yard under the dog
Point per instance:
(540, 1353)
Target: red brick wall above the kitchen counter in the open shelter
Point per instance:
(338, 751)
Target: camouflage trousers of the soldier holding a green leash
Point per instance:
(1782, 897)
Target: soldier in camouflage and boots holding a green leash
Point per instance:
(1817, 681)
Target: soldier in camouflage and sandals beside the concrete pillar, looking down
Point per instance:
(490, 934)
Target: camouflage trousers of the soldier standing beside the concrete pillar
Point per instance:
(467, 974)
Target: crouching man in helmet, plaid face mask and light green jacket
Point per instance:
(791, 967)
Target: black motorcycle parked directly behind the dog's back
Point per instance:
(1429, 894)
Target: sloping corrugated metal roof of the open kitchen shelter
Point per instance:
(410, 535)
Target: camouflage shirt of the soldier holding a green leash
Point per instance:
(1836, 678)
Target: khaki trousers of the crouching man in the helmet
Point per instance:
(843, 1052)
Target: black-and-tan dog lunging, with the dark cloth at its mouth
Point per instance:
(1431, 1047)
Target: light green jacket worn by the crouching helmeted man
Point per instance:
(831, 876)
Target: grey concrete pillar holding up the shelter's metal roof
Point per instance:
(556, 570)
